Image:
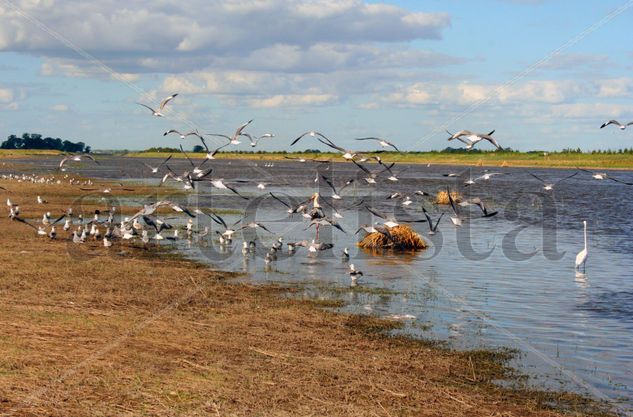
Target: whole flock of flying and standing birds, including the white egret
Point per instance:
(320, 211)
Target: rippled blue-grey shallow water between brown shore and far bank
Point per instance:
(503, 281)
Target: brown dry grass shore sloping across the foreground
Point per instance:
(86, 331)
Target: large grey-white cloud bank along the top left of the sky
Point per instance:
(175, 37)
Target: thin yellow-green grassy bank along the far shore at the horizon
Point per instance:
(511, 159)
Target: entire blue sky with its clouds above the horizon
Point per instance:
(544, 74)
